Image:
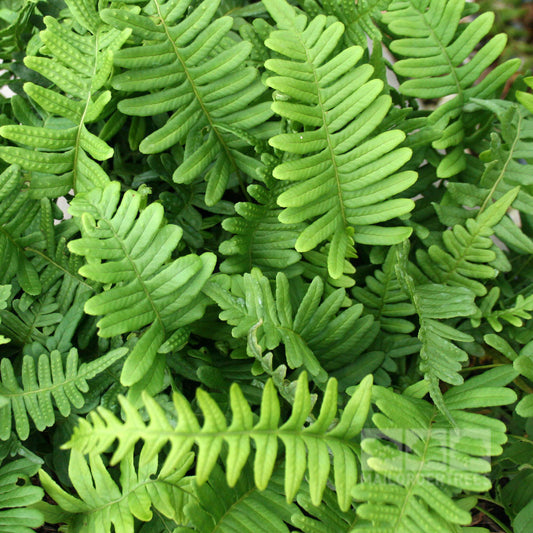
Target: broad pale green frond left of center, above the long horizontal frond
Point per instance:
(130, 247)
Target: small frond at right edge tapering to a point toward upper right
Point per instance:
(466, 250)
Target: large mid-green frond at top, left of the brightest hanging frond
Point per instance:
(189, 66)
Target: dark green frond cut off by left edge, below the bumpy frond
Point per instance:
(17, 214)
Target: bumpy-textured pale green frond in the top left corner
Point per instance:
(58, 151)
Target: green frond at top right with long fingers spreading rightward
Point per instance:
(437, 49)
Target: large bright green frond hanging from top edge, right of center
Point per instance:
(344, 176)
